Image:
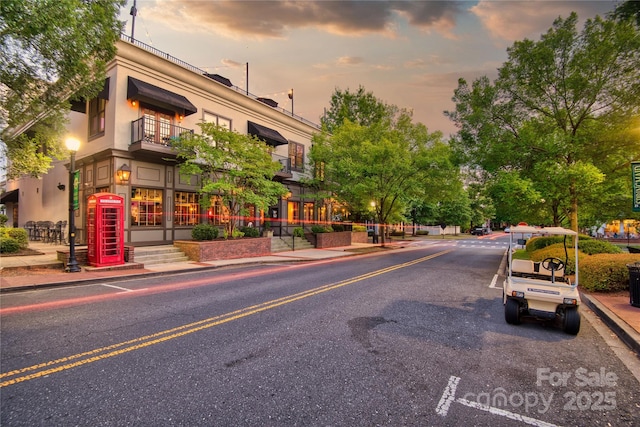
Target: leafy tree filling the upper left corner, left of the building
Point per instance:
(51, 52)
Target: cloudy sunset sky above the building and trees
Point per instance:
(407, 53)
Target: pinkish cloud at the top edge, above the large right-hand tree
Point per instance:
(516, 20)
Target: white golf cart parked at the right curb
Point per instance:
(541, 290)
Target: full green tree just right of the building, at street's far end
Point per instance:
(383, 166)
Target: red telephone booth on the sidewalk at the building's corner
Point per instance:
(105, 229)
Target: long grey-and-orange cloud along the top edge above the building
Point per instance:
(274, 19)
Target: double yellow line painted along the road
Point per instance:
(70, 362)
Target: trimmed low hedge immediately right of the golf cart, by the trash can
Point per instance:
(606, 272)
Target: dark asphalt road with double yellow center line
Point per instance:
(412, 337)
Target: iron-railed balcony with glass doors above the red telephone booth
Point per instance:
(154, 136)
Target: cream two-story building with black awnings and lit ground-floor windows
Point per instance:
(149, 98)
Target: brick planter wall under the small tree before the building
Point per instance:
(212, 250)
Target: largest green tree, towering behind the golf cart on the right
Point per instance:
(559, 112)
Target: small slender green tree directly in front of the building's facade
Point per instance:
(237, 167)
